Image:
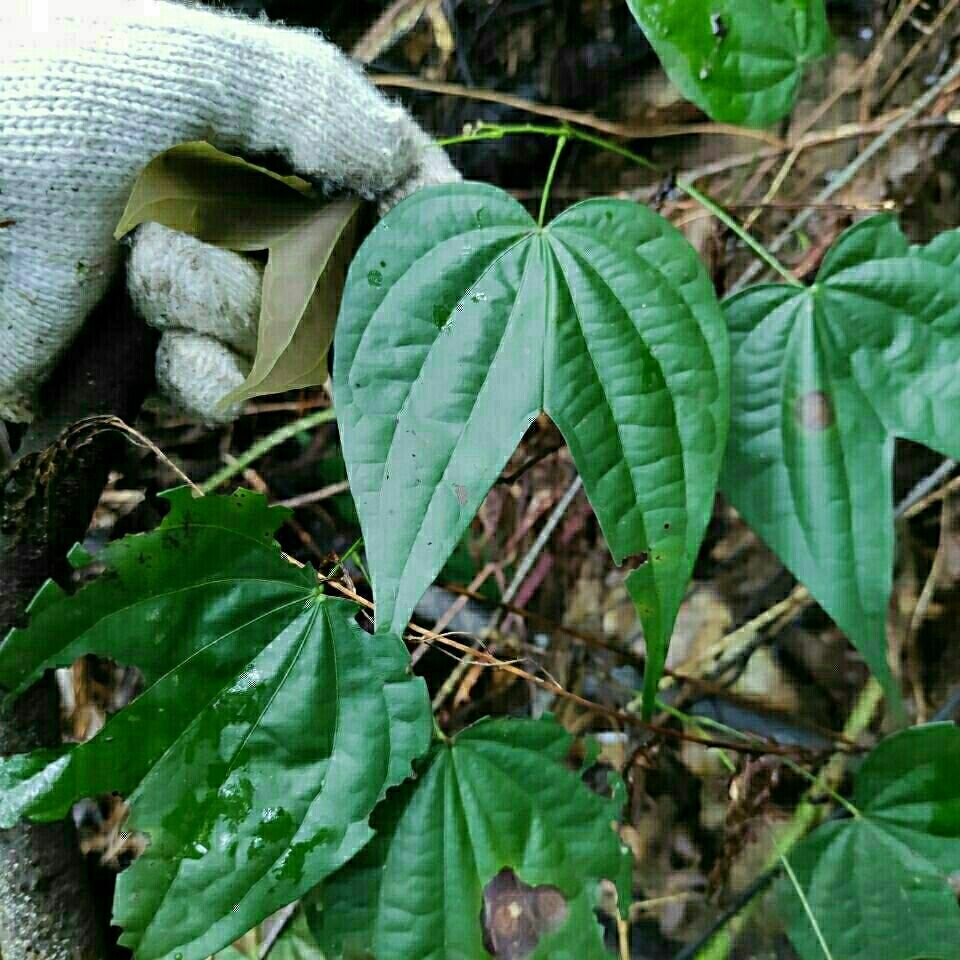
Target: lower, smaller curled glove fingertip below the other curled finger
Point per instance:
(195, 372)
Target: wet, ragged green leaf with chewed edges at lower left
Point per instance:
(269, 727)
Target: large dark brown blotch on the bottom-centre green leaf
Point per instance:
(515, 915)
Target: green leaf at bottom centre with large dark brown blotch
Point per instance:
(498, 797)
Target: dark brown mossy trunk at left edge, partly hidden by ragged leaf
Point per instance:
(48, 909)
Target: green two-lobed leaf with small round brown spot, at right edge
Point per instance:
(823, 380)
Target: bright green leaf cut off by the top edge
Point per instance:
(740, 61)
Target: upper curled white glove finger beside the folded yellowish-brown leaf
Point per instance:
(177, 282)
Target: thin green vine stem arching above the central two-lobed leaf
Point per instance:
(498, 131)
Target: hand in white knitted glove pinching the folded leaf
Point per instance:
(89, 94)
